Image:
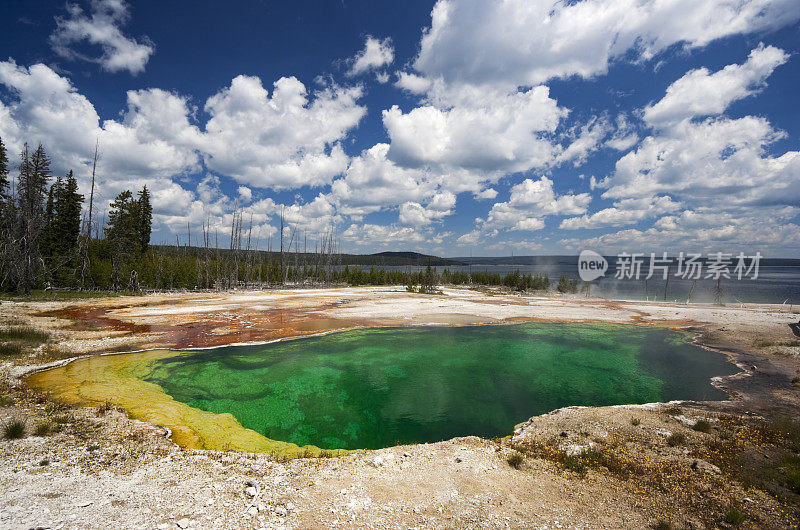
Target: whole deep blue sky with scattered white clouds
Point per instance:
(453, 127)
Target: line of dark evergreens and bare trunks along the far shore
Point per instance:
(47, 242)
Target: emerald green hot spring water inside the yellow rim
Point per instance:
(377, 387)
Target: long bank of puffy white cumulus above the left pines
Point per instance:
(281, 140)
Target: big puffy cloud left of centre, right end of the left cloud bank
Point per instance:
(280, 140)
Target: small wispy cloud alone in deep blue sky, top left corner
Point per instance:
(101, 28)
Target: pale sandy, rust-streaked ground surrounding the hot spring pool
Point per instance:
(103, 469)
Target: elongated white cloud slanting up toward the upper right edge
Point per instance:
(700, 93)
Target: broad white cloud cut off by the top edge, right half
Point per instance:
(527, 42)
